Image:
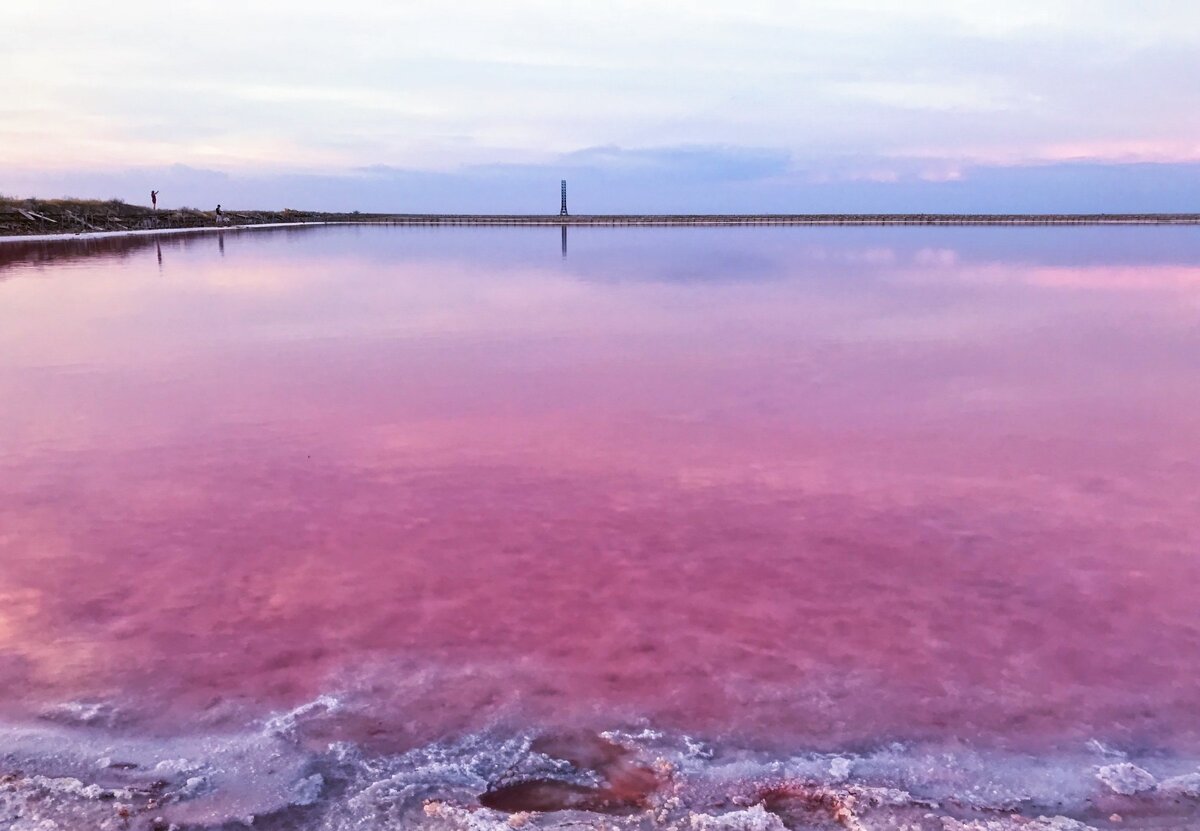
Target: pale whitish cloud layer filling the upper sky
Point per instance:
(305, 87)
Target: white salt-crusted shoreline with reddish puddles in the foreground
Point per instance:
(79, 772)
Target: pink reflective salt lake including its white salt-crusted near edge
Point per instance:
(339, 521)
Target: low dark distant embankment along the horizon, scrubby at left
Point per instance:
(23, 218)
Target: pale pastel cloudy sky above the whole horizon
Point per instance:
(652, 105)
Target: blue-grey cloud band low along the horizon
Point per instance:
(683, 180)
